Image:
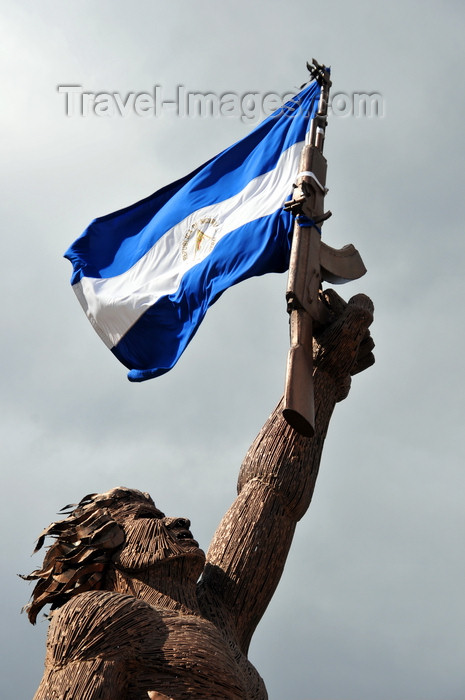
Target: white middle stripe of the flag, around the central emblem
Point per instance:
(114, 304)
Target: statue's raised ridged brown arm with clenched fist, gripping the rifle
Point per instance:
(277, 478)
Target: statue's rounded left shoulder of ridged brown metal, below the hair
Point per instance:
(98, 623)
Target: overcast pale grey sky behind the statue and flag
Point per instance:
(371, 605)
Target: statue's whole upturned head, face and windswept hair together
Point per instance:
(121, 529)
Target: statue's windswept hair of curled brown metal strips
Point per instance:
(81, 555)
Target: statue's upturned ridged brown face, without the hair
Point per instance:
(151, 537)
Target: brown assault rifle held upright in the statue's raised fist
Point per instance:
(311, 262)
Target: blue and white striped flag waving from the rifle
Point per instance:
(146, 275)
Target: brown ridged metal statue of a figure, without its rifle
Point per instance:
(131, 618)
